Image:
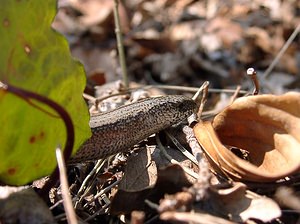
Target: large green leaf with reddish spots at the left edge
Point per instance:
(36, 58)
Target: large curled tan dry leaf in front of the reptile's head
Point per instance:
(266, 129)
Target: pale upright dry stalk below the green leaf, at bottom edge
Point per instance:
(67, 201)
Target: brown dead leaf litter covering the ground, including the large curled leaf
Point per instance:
(249, 171)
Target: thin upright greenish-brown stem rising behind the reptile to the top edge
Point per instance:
(120, 44)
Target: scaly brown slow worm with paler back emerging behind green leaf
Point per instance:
(118, 130)
